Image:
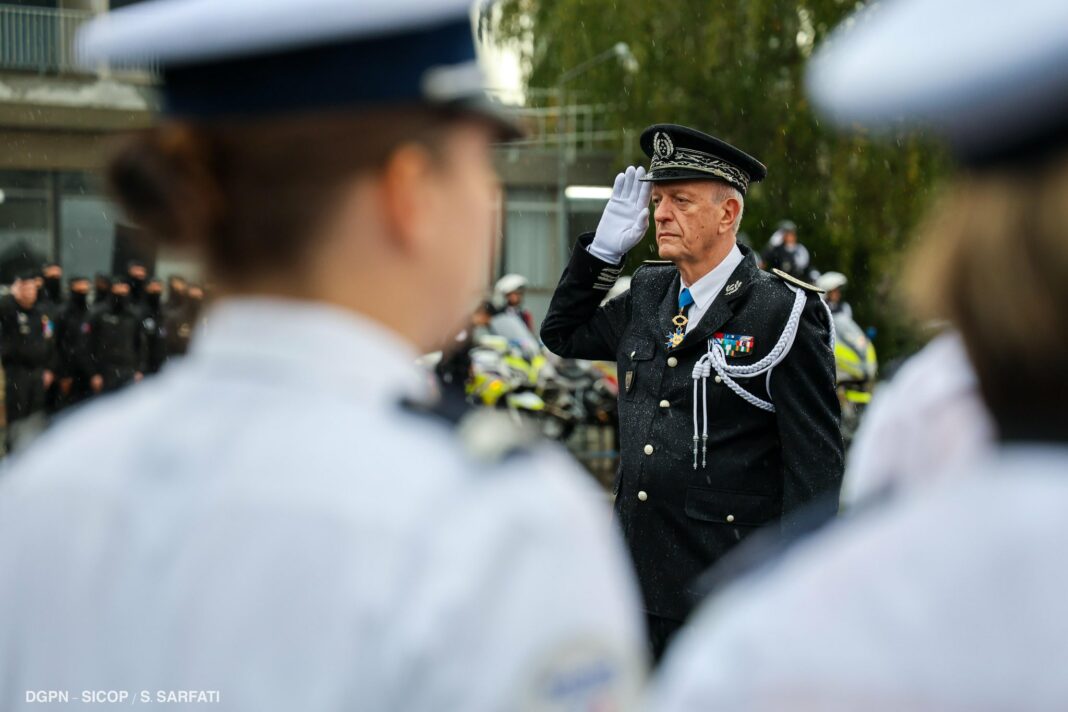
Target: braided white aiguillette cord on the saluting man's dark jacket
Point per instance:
(716, 358)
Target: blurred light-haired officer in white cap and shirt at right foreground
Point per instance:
(952, 599)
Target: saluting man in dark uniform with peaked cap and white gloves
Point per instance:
(729, 419)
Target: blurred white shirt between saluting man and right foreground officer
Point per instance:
(928, 423)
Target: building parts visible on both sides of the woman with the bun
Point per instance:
(57, 123)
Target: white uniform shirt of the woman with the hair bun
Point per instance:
(265, 521)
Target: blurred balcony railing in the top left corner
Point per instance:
(42, 40)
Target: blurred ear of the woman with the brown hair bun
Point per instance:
(411, 196)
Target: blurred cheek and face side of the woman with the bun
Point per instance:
(465, 196)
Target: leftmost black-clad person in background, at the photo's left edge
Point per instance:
(26, 341)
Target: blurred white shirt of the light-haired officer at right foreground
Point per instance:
(950, 600)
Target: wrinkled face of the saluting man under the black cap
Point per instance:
(687, 216)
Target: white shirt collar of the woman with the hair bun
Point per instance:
(311, 344)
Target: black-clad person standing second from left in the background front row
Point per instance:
(74, 345)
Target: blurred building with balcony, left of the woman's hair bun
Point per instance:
(57, 123)
